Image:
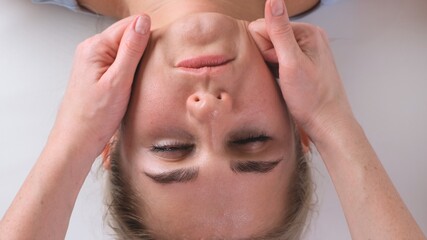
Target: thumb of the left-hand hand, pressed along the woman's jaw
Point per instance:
(132, 47)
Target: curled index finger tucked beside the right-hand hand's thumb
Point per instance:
(259, 33)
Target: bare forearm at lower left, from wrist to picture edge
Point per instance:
(43, 206)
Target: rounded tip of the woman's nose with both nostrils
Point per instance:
(205, 106)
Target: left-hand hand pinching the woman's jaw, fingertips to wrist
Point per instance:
(99, 89)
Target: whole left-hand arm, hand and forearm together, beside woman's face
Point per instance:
(92, 109)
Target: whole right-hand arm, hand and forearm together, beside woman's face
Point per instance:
(315, 97)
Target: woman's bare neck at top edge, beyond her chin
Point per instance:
(163, 12)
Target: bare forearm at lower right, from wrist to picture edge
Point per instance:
(372, 206)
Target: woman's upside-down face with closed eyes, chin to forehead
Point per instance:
(207, 141)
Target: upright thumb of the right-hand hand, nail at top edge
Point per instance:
(280, 31)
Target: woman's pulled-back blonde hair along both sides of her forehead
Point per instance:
(124, 207)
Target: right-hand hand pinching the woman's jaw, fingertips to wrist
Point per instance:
(309, 81)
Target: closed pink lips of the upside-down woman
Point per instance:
(210, 61)
